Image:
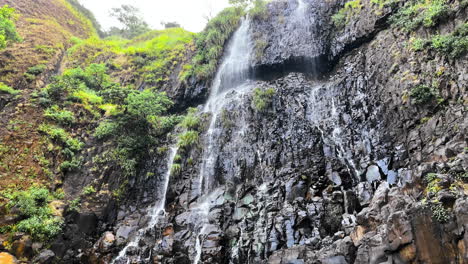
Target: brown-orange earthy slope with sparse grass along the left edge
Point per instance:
(46, 27)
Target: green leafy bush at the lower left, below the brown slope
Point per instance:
(38, 219)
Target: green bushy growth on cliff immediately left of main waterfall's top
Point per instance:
(210, 44)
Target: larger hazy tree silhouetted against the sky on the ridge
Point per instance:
(133, 23)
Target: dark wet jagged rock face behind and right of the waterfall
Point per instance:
(341, 166)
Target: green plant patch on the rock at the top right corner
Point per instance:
(418, 13)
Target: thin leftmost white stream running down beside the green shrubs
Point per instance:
(154, 212)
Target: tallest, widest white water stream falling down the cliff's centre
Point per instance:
(230, 84)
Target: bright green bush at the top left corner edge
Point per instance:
(8, 31)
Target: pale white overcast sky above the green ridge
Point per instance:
(189, 13)
